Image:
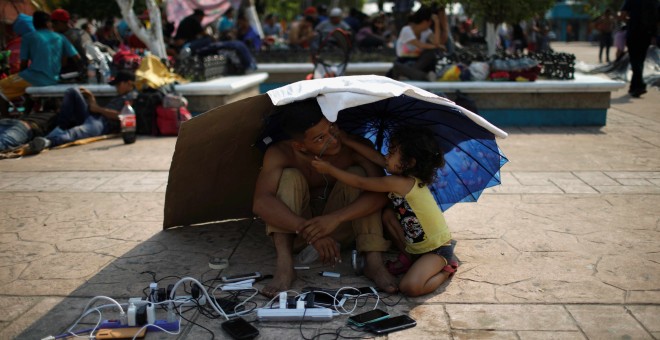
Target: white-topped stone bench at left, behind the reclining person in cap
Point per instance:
(202, 96)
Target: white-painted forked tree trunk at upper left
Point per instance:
(152, 37)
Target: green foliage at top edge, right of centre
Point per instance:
(498, 11)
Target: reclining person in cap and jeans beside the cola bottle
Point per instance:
(81, 117)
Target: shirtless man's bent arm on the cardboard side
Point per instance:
(266, 204)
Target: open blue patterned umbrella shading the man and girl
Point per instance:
(473, 159)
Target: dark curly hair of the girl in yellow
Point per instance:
(418, 144)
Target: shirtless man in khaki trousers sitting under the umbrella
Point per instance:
(289, 193)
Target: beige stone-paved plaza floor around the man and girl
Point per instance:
(568, 247)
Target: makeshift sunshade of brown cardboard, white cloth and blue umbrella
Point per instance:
(216, 161)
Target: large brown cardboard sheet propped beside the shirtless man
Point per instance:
(215, 165)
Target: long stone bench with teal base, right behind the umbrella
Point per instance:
(582, 101)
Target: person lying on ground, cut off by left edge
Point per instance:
(18, 131)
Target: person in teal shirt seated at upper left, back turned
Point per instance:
(45, 51)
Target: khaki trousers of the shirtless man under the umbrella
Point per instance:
(367, 231)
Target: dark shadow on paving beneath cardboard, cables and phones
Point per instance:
(185, 252)
